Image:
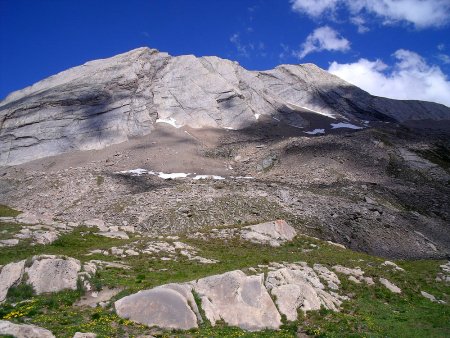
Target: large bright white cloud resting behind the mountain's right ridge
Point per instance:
(410, 78)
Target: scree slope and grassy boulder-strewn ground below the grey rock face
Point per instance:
(189, 216)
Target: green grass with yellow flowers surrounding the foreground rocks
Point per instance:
(371, 311)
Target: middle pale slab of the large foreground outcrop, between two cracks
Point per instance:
(239, 300)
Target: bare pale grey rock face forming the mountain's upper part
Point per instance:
(108, 101)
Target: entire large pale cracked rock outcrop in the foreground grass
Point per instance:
(236, 298)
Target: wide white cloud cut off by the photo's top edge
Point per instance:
(420, 13)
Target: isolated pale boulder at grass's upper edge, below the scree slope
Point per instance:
(273, 233)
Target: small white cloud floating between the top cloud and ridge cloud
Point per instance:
(323, 38)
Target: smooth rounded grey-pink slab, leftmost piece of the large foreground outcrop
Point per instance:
(166, 307)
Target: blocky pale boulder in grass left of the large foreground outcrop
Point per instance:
(52, 274)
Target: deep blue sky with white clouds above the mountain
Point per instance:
(395, 48)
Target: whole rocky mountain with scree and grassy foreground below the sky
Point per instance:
(155, 196)
